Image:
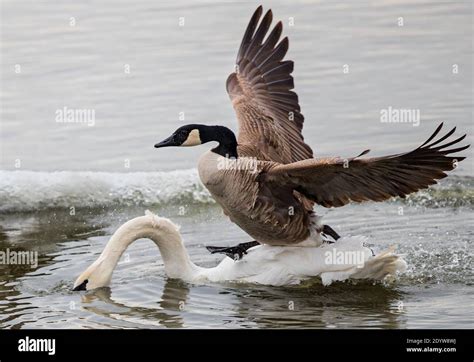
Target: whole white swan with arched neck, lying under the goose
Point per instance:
(264, 264)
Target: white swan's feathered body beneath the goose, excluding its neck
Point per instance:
(273, 265)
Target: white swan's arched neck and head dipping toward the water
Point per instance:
(162, 231)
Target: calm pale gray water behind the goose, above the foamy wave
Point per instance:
(177, 69)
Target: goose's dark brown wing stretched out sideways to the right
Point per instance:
(334, 182)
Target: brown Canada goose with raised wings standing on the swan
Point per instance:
(267, 181)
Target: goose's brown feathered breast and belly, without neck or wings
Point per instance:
(273, 216)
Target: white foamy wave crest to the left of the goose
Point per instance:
(32, 190)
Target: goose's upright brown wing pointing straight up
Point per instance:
(268, 113)
